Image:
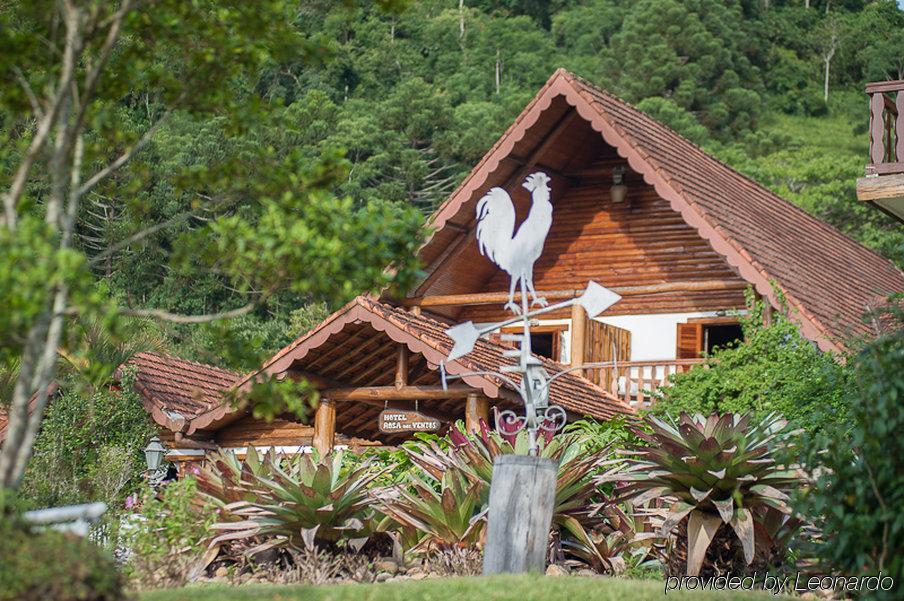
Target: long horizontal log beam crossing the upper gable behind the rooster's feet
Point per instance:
(488, 298)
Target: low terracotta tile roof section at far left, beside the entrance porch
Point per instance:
(171, 387)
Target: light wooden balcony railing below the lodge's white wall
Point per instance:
(634, 381)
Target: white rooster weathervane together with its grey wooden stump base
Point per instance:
(522, 492)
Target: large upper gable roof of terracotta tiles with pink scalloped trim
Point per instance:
(828, 279)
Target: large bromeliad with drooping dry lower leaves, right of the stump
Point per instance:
(725, 486)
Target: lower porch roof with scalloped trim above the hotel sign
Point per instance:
(426, 335)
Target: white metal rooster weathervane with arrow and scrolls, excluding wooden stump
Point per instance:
(516, 252)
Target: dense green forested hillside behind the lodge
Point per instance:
(398, 103)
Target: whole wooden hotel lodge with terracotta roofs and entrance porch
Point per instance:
(681, 246)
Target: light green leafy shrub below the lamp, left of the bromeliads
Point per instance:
(168, 537)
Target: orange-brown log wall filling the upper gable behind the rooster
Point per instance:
(638, 242)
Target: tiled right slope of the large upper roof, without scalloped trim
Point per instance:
(833, 278)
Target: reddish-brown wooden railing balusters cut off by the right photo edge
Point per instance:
(886, 127)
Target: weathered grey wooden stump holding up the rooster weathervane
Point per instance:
(522, 495)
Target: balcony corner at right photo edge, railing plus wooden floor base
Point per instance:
(883, 185)
